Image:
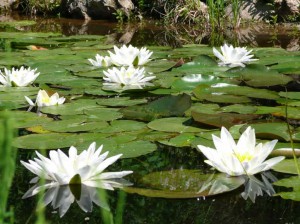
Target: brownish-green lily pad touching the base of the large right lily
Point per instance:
(185, 184)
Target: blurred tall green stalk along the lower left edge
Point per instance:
(7, 163)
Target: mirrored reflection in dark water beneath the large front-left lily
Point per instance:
(62, 196)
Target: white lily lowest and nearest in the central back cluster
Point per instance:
(127, 76)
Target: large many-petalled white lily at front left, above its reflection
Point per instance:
(84, 168)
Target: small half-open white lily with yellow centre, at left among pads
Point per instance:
(43, 99)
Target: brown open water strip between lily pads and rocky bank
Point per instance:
(155, 33)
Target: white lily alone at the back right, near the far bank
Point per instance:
(233, 56)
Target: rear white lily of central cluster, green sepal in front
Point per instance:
(127, 56)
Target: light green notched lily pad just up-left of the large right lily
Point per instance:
(174, 124)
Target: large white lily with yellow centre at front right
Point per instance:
(245, 157)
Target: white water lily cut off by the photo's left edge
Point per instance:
(18, 77)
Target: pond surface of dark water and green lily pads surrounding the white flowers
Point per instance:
(157, 128)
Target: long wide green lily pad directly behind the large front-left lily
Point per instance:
(115, 145)
